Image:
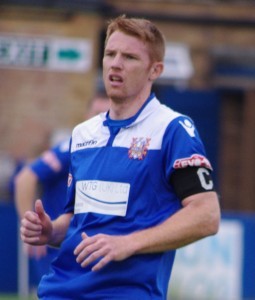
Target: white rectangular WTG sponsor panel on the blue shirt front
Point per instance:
(102, 197)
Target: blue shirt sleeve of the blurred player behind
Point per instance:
(52, 163)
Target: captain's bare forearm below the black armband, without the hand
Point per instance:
(196, 220)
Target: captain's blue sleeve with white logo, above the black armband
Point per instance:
(183, 147)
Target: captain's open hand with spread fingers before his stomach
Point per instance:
(104, 247)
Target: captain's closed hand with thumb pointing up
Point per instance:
(36, 227)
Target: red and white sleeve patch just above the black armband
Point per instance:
(194, 160)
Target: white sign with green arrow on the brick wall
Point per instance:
(45, 53)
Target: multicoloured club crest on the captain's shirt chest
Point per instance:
(139, 148)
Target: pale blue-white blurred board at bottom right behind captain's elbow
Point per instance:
(210, 269)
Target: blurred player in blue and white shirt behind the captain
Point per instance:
(46, 177)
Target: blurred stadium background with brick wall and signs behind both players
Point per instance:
(50, 67)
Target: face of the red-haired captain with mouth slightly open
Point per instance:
(126, 67)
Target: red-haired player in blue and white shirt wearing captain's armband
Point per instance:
(140, 184)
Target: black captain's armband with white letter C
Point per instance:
(191, 180)
